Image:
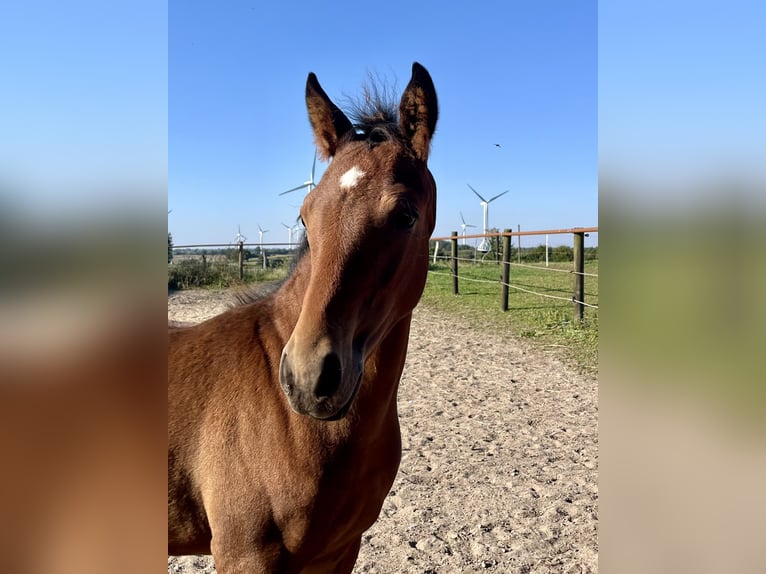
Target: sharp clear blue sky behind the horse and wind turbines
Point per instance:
(522, 75)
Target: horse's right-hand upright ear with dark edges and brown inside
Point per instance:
(418, 111)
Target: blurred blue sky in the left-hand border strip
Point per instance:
(83, 105)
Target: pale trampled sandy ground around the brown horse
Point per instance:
(499, 466)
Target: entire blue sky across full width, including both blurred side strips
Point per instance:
(200, 105)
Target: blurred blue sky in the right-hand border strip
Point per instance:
(681, 96)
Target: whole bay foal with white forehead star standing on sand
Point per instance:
(283, 431)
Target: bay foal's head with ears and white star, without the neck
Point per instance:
(368, 224)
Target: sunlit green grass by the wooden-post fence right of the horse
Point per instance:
(545, 321)
